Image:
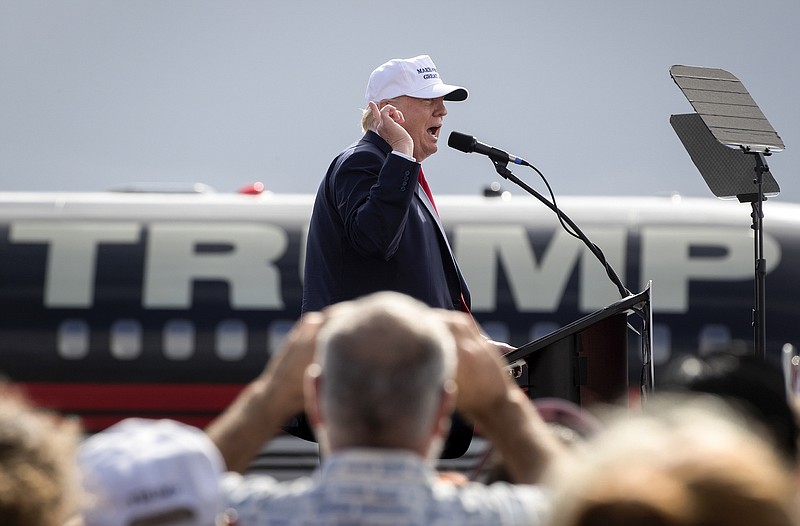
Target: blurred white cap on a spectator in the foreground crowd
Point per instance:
(143, 469)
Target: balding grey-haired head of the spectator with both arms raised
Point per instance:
(385, 360)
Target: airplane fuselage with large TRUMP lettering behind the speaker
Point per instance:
(165, 304)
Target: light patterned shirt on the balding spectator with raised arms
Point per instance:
(379, 487)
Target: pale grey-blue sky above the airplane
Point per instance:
(99, 93)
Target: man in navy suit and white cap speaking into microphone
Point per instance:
(374, 225)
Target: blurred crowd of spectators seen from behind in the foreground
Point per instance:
(378, 379)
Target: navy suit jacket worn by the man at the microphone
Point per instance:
(373, 228)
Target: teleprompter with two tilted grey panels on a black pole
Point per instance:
(728, 139)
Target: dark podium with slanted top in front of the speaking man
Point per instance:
(586, 362)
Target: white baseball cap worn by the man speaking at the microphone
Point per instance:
(415, 77)
